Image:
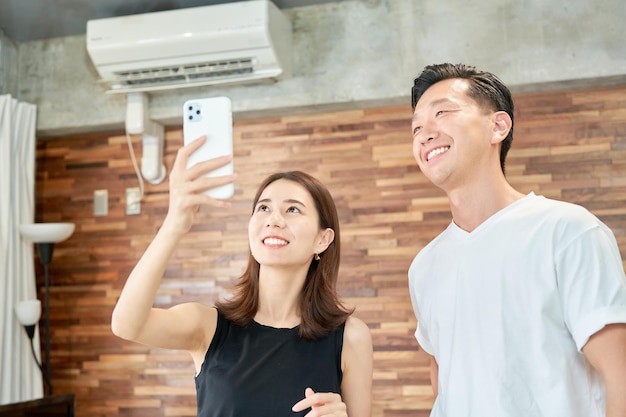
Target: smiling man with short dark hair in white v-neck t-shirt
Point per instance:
(521, 301)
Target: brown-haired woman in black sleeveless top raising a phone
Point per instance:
(283, 345)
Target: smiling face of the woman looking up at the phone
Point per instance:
(284, 227)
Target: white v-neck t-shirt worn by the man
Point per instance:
(507, 308)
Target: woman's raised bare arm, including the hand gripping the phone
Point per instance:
(134, 317)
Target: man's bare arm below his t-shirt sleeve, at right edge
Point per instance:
(606, 351)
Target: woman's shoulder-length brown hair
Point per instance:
(320, 308)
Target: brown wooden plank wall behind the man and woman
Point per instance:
(569, 145)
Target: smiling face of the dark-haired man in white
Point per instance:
(452, 134)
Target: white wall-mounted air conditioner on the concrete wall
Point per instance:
(225, 43)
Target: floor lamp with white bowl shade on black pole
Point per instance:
(45, 235)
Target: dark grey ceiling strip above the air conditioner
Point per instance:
(27, 20)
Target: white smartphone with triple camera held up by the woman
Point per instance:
(211, 117)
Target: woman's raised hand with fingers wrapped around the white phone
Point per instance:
(187, 186)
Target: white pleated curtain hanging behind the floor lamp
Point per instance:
(20, 378)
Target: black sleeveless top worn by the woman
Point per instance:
(263, 371)
